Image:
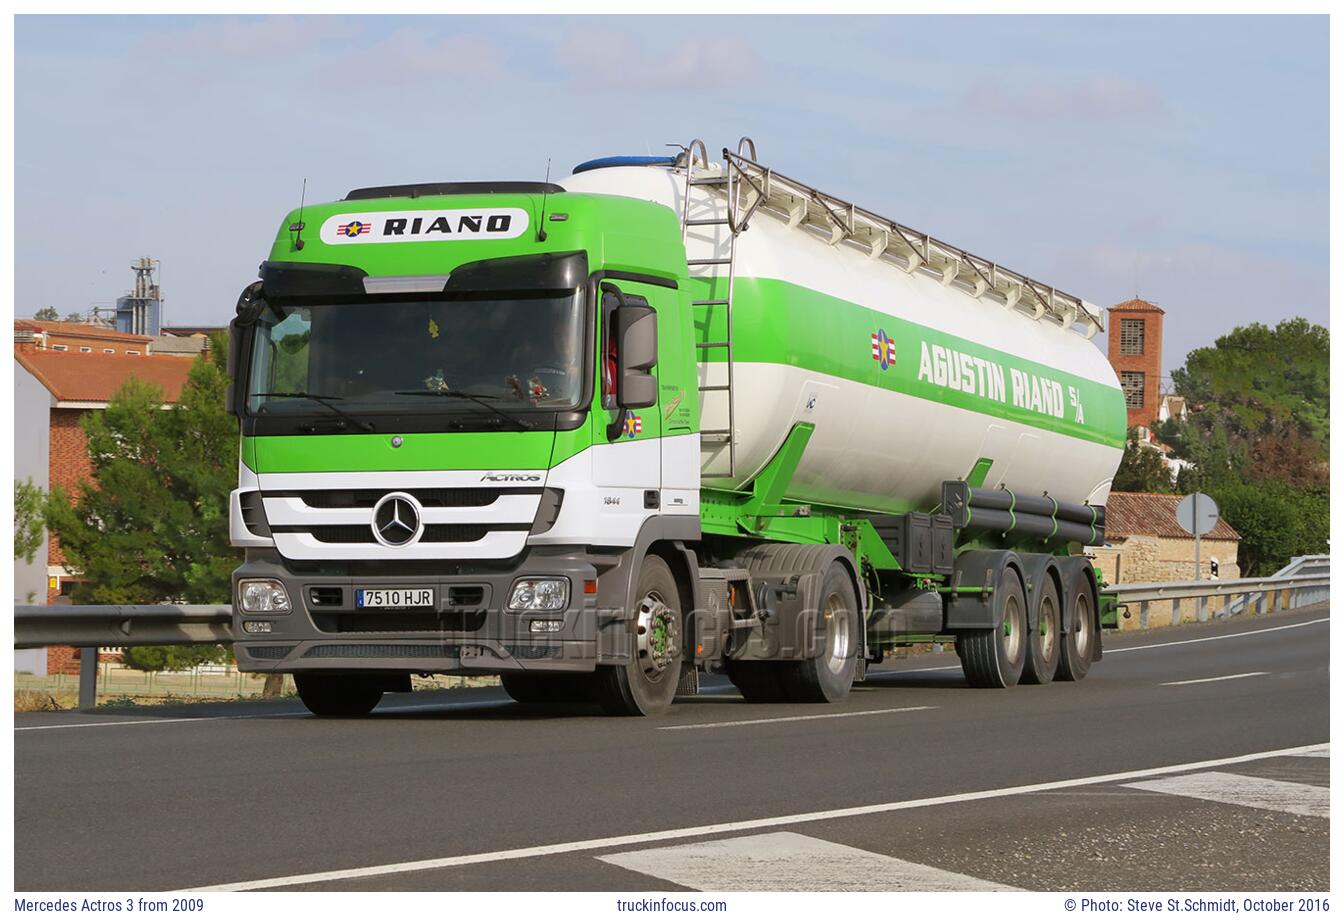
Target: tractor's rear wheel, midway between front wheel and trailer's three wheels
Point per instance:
(830, 675)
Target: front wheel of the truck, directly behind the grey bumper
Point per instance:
(647, 684)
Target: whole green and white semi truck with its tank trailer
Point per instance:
(662, 418)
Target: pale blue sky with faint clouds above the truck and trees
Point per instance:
(1182, 159)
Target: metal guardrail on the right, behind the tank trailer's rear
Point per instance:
(1288, 592)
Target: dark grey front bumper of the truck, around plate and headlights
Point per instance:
(467, 632)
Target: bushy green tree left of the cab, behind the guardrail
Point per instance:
(154, 524)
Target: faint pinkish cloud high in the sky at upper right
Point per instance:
(1097, 97)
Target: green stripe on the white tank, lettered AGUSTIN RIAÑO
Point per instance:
(780, 323)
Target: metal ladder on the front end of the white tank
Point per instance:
(720, 268)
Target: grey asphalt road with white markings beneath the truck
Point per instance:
(1148, 776)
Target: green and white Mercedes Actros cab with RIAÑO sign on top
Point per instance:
(463, 409)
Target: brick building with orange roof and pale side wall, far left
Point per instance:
(54, 390)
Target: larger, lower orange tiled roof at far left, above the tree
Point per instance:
(95, 378)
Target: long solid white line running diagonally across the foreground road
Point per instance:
(734, 827)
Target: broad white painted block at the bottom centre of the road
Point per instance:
(791, 863)
